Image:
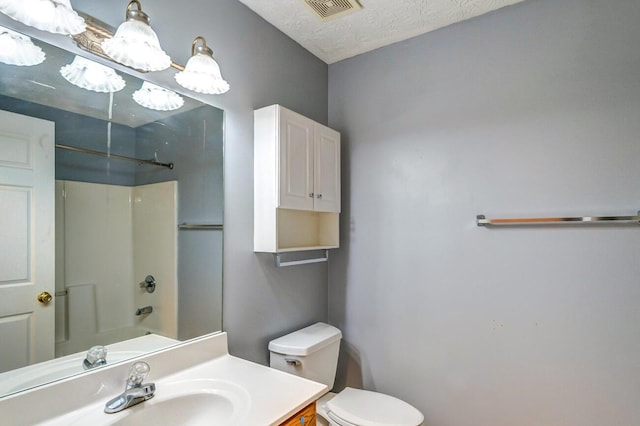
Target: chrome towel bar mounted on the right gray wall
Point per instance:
(481, 220)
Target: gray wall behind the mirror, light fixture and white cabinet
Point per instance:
(263, 67)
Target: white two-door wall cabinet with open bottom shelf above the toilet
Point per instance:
(296, 182)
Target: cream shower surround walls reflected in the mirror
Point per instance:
(109, 238)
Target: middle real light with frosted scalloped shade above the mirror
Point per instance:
(135, 44)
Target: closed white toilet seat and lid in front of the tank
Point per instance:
(356, 407)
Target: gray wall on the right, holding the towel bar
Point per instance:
(532, 110)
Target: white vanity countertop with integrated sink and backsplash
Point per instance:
(199, 380)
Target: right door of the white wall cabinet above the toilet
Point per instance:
(327, 170)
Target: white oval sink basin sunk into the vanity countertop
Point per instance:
(185, 403)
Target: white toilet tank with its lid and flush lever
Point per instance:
(311, 352)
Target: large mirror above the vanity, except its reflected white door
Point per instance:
(138, 248)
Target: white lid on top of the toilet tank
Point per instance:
(306, 341)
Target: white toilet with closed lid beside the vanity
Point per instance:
(312, 353)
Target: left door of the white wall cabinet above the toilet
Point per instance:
(296, 161)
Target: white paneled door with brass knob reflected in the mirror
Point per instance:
(26, 239)
